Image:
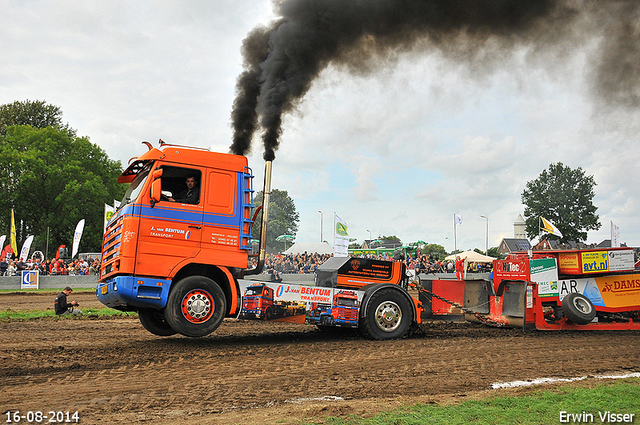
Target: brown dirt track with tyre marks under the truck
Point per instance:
(112, 370)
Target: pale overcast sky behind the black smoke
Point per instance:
(395, 152)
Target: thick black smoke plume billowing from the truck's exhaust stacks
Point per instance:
(281, 61)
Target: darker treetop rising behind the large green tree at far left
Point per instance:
(34, 113)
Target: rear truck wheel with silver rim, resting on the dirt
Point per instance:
(388, 315)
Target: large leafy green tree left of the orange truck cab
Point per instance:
(53, 179)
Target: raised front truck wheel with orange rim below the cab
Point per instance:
(196, 306)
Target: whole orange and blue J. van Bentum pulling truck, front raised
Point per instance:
(178, 250)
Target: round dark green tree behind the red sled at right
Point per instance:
(565, 197)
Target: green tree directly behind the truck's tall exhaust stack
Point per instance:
(283, 218)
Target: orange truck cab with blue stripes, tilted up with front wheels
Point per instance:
(157, 249)
